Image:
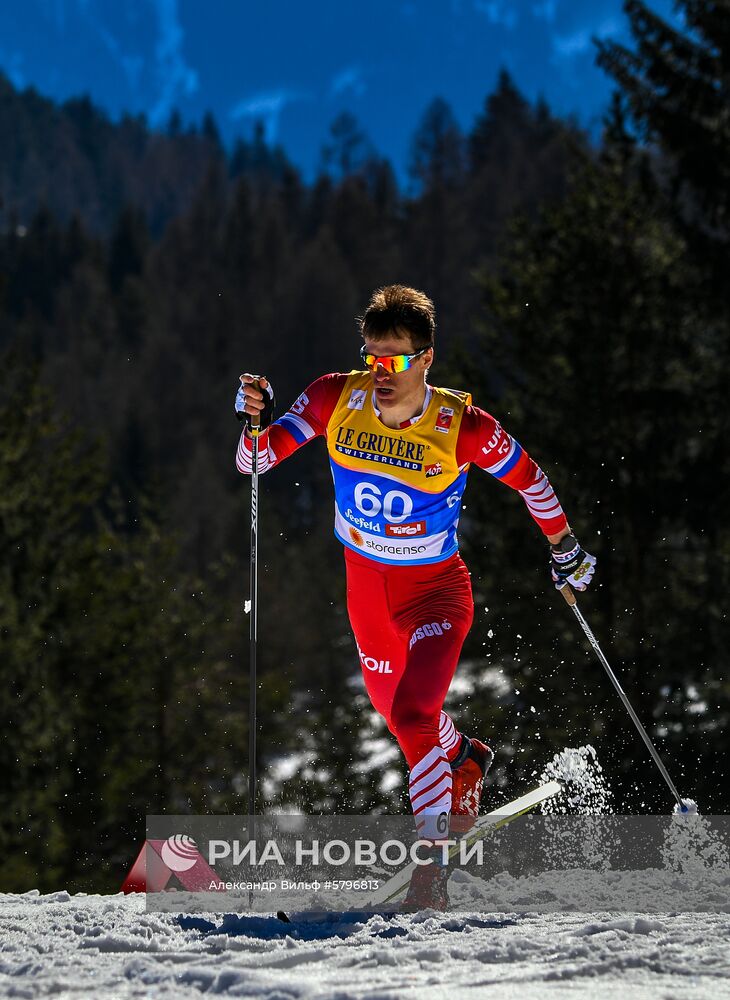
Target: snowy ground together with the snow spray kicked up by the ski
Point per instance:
(641, 945)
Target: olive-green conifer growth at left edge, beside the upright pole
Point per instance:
(118, 696)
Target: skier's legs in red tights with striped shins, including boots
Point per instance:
(410, 624)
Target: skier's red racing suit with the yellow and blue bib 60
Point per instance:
(397, 502)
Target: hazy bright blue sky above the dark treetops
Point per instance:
(296, 65)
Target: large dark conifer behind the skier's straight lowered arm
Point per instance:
(598, 362)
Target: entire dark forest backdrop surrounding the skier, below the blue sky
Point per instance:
(582, 296)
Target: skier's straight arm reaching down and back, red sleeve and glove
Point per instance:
(484, 442)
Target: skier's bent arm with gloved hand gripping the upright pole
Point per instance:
(306, 419)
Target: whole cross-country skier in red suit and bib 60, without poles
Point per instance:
(400, 450)
